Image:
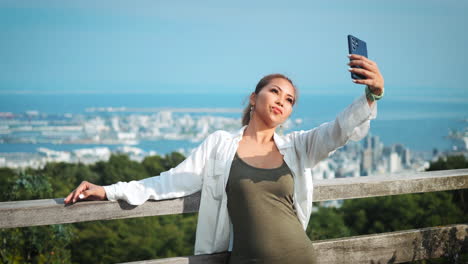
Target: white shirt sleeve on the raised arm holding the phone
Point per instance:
(352, 123)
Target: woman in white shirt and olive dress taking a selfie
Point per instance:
(256, 186)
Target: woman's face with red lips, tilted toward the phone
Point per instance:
(273, 104)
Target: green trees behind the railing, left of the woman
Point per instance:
(98, 241)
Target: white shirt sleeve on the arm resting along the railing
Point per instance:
(185, 179)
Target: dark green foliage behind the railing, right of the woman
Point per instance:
(393, 213)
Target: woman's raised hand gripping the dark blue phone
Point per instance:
(370, 70)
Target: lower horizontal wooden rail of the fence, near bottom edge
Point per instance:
(391, 247)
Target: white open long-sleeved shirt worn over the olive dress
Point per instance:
(207, 169)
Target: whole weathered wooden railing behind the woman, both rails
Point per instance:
(392, 247)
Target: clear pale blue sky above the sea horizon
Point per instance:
(227, 46)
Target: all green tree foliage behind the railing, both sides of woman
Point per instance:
(174, 235)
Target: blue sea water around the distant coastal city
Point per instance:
(421, 124)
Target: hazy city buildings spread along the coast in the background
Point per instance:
(88, 139)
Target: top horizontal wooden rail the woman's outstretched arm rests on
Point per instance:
(54, 211)
